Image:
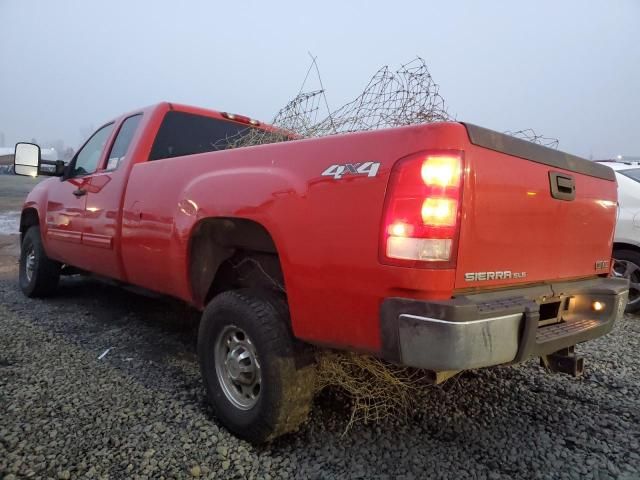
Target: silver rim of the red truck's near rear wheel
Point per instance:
(237, 367)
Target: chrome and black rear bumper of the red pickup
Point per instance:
(500, 327)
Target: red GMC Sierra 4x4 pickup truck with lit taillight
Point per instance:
(442, 246)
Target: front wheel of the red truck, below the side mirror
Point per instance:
(38, 274)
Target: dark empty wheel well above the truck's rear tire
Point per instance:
(231, 253)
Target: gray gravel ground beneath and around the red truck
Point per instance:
(140, 411)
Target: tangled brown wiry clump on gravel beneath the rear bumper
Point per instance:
(378, 390)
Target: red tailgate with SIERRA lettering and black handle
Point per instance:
(532, 214)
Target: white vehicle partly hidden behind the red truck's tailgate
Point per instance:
(626, 242)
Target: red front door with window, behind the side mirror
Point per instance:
(67, 200)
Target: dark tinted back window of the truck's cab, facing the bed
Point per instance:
(182, 134)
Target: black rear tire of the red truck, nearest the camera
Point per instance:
(287, 371)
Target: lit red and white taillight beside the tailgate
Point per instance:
(422, 209)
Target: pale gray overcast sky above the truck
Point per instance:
(568, 69)
